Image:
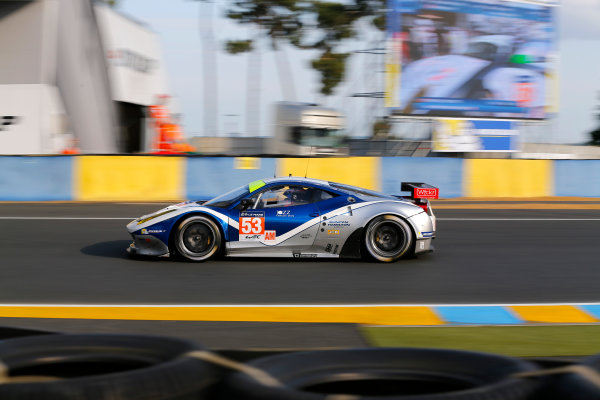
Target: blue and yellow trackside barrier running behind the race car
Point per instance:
(165, 178)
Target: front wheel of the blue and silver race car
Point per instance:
(197, 238)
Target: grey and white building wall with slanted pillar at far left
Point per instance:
(55, 46)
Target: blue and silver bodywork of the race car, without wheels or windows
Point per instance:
(328, 228)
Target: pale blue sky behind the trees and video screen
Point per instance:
(178, 24)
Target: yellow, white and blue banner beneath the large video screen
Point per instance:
(463, 135)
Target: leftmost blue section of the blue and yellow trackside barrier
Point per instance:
(36, 178)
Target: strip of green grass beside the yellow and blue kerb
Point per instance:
(520, 341)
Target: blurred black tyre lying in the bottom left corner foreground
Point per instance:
(103, 367)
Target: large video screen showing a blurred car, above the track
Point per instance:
(462, 58)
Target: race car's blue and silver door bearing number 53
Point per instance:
(282, 220)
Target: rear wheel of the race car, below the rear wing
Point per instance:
(387, 238)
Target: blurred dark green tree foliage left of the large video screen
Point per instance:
(308, 24)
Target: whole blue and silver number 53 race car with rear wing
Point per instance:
(292, 217)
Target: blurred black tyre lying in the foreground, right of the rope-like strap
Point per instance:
(385, 373)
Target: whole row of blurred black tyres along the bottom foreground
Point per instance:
(135, 367)
